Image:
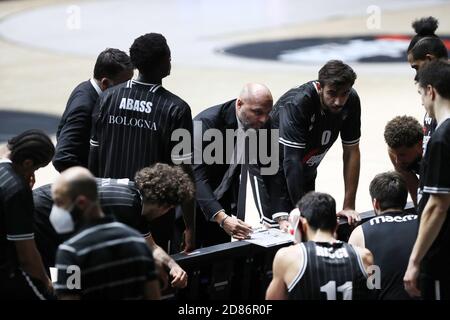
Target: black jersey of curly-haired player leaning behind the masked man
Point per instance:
(118, 197)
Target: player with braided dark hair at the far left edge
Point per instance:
(22, 274)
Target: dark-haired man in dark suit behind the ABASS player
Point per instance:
(112, 67)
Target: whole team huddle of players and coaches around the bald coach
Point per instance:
(128, 195)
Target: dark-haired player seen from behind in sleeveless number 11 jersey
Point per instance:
(322, 268)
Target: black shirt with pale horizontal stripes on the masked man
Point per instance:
(114, 262)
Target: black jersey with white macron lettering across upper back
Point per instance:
(390, 237)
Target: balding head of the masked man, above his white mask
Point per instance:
(74, 183)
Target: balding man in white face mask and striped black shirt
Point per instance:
(113, 261)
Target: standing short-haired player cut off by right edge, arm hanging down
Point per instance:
(430, 255)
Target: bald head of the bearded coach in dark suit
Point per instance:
(254, 105)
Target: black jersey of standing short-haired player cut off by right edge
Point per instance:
(435, 179)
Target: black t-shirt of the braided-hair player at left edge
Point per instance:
(16, 214)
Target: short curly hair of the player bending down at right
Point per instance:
(403, 131)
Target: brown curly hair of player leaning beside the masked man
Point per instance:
(162, 184)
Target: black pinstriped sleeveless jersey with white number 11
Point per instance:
(329, 272)
